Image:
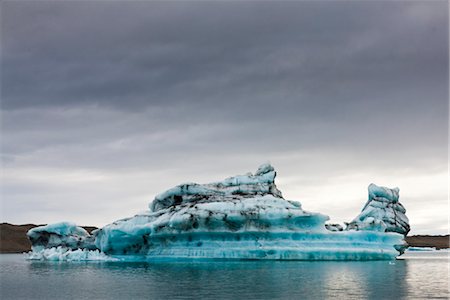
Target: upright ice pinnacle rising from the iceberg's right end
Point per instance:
(382, 212)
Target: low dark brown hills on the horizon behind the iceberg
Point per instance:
(13, 238)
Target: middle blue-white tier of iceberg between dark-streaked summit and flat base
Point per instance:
(197, 221)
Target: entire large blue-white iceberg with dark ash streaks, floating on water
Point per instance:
(241, 217)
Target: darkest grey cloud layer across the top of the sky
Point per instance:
(146, 54)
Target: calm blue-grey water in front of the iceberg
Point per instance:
(420, 275)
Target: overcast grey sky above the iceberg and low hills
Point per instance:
(105, 104)
